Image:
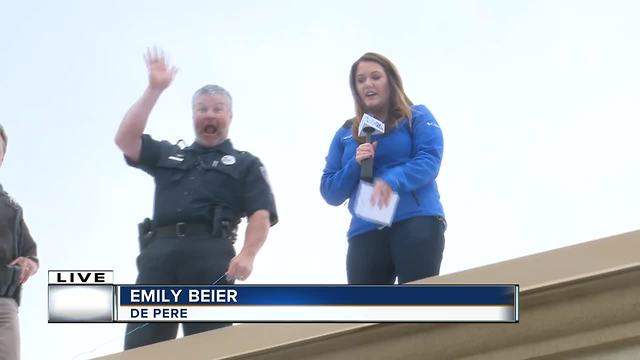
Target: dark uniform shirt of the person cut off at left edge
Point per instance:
(10, 218)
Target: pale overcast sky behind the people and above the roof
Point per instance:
(538, 102)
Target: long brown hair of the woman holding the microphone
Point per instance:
(399, 103)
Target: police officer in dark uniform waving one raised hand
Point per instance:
(201, 193)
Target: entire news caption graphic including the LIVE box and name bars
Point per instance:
(91, 296)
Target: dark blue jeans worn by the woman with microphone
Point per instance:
(409, 250)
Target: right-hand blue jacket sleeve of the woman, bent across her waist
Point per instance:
(425, 164)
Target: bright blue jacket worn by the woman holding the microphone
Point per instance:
(408, 159)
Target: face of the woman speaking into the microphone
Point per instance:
(373, 86)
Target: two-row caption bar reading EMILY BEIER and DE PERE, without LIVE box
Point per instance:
(296, 303)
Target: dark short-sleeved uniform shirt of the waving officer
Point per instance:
(190, 181)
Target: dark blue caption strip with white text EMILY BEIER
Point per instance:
(293, 295)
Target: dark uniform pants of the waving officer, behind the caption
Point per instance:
(197, 260)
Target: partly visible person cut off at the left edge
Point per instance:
(18, 262)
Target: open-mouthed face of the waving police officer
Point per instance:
(211, 118)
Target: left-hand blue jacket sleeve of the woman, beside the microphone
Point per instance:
(338, 181)
